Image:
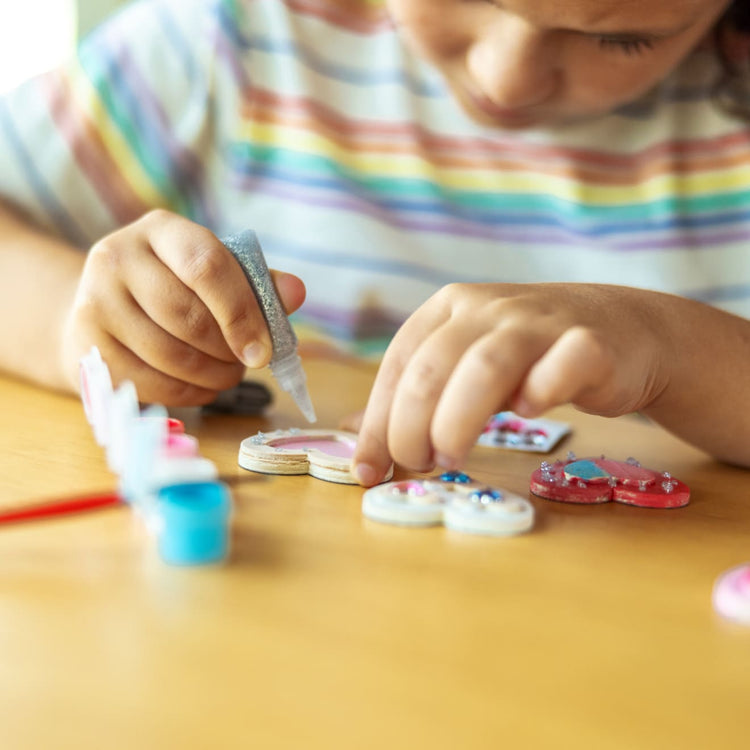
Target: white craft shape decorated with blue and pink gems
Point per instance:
(452, 499)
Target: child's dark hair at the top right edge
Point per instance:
(733, 44)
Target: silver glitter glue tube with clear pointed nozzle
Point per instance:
(286, 365)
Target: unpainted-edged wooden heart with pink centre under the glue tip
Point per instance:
(324, 454)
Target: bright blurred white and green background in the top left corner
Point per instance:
(36, 35)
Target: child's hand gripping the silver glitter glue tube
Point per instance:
(170, 309)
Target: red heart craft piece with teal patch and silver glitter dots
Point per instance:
(601, 480)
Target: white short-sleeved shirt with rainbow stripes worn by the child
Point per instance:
(310, 122)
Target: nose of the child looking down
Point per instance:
(512, 64)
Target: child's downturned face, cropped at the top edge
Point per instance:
(518, 63)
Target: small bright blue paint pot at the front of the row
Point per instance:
(194, 522)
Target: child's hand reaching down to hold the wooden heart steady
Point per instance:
(475, 349)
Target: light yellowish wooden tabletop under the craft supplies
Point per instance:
(327, 630)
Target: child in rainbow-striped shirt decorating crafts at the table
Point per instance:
(559, 190)
